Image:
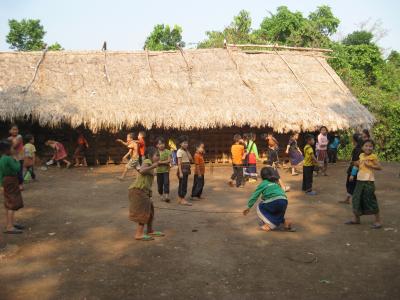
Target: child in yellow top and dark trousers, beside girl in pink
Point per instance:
(310, 162)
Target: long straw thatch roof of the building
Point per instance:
(190, 89)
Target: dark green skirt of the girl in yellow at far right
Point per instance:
(364, 199)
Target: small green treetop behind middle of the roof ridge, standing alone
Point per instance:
(163, 38)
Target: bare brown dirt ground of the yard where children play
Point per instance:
(79, 243)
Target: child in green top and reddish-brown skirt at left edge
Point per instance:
(9, 168)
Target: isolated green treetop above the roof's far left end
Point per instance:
(25, 35)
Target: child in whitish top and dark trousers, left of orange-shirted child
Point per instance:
(184, 159)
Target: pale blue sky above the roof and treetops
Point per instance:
(85, 24)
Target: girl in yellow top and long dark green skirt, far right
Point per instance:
(364, 198)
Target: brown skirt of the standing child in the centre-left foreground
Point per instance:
(141, 209)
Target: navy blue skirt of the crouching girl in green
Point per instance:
(272, 213)
